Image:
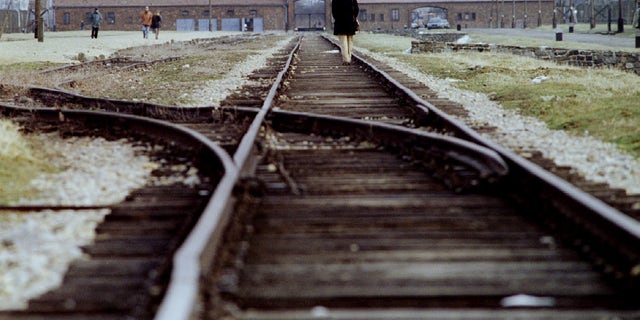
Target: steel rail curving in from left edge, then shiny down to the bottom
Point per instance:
(181, 296)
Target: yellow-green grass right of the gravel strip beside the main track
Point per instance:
(598, 102)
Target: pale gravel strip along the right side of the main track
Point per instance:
(595, 160)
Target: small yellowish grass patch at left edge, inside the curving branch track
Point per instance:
(19, 163)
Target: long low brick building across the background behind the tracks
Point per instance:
(263, 15)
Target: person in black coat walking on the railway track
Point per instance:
(345, 13)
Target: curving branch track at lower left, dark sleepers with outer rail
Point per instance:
(127, 269)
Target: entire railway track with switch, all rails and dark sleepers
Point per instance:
(345, 192)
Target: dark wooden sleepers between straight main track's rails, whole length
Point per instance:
(329, 233)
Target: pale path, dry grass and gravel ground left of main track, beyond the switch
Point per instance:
(183, 69)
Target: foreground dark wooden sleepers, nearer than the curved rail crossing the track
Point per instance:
(362, 230)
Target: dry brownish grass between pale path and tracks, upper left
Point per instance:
(169, 83)
